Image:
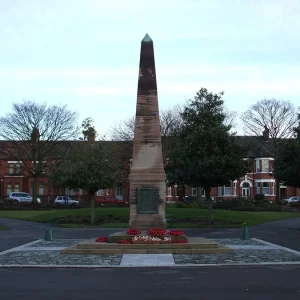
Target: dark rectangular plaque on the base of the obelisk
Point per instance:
(147, 200)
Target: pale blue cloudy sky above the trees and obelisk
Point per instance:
(85, 53)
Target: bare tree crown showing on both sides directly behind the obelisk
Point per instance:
(170, 119)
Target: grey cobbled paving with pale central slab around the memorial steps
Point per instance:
(249, 252)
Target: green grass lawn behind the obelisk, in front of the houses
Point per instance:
(251, 218)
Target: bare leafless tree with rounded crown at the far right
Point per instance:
(275, 120)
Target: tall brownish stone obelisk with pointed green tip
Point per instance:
(147, 175)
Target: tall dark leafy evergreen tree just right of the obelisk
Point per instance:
(203, 152)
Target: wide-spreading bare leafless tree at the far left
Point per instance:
(32, 133)
